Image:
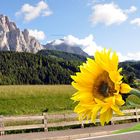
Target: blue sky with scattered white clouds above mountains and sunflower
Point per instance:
(93, 24)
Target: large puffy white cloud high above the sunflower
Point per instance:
(108, 14)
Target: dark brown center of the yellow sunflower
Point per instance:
(103, 87)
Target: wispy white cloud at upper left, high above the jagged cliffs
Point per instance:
(31, 12)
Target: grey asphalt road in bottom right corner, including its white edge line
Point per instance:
(124, 136)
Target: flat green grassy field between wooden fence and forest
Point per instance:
(28, 99)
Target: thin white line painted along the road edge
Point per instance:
(108, 135)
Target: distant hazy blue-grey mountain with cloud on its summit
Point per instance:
(65, 48)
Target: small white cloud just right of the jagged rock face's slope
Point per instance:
(39, 35)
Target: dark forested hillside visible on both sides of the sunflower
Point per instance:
(50, 67)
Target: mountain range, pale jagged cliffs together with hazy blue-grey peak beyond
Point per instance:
(13, 39)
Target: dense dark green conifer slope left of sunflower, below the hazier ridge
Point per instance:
(27, 68)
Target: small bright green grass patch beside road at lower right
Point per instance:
(134, 128)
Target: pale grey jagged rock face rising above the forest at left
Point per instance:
(12, 39)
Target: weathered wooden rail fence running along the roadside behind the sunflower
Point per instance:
(56, 120)
